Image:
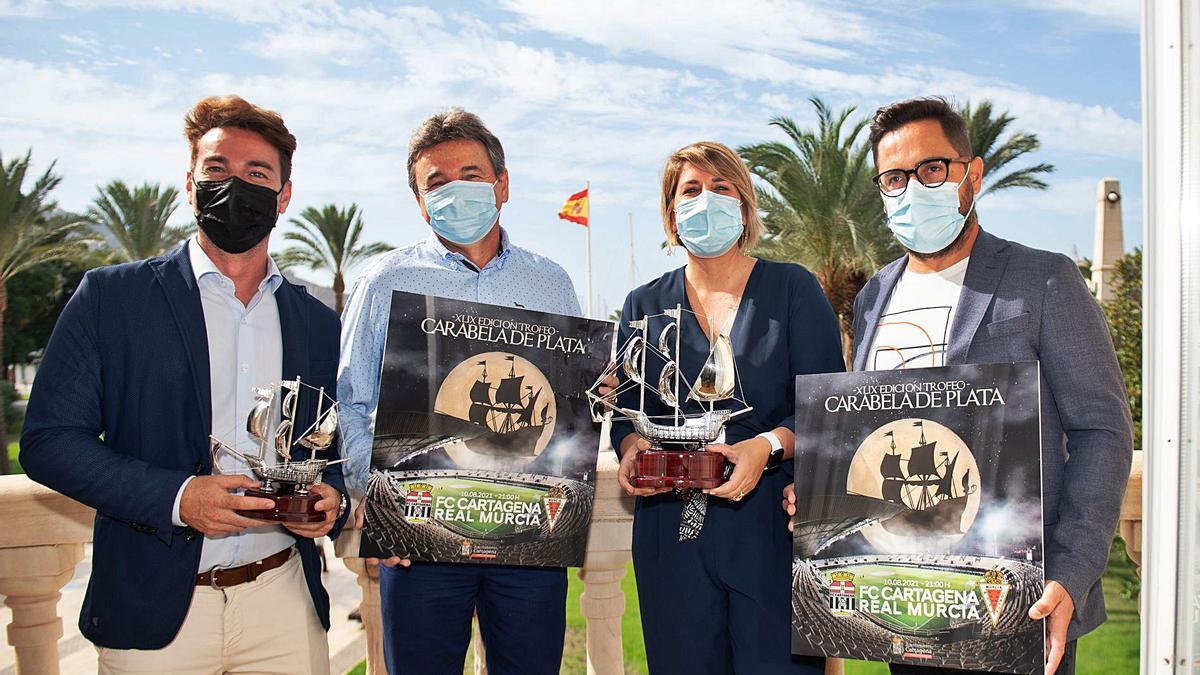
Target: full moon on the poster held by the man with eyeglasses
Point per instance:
(921, 485)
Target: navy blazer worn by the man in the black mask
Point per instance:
(119, 417)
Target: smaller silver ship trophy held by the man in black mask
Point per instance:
(273, 422)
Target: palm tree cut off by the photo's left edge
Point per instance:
(32, 234)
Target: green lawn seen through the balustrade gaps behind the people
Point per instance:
(1111, 650)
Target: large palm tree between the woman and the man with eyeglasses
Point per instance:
(820, 207)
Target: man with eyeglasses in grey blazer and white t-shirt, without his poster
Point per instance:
(964, 296)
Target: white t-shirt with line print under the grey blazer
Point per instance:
(915, 330)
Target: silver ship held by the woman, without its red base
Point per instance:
(716, 380)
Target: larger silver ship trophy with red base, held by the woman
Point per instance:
(677, 457)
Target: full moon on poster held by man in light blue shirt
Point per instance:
(519, 402)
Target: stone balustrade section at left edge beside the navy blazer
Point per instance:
(41, 542)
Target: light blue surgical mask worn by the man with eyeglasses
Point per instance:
(927, 220)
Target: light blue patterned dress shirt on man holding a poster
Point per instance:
(514, 279)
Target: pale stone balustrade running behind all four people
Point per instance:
(43, 537)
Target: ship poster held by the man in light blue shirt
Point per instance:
(485, 451)
